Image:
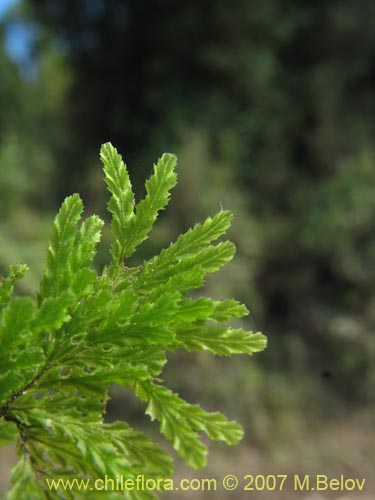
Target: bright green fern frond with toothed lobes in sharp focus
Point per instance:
(60, 352)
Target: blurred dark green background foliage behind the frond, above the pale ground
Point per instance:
(269, 106)
